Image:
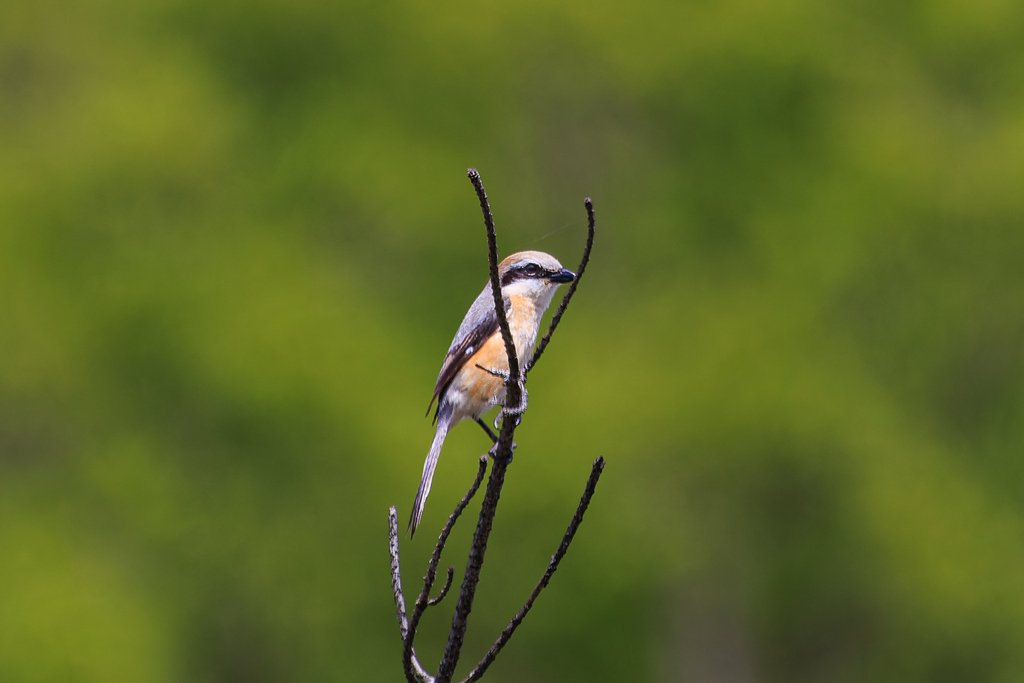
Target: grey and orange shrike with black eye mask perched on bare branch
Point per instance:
(473, 378)
